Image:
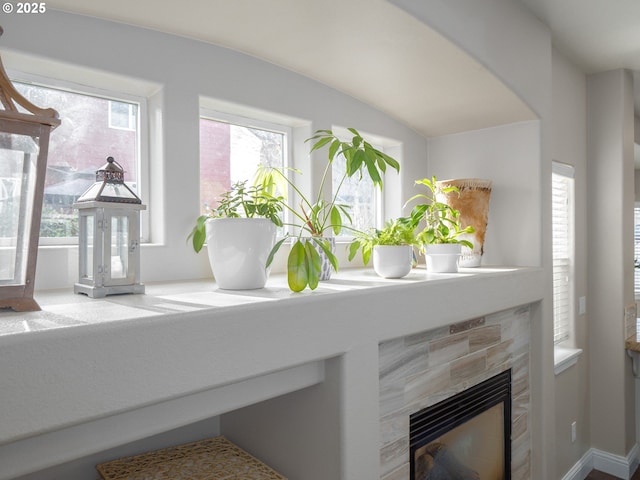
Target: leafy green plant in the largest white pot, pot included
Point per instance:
(240, 233)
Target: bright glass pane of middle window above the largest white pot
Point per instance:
(231, 149)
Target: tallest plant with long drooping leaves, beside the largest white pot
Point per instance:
(315, 218)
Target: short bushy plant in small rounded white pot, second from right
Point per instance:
(391, 246)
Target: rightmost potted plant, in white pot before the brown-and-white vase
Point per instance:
(440, 239)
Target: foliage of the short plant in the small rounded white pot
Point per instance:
(400, 231)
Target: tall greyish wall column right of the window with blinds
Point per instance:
(610, 233)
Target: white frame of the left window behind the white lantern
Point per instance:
(143, 147)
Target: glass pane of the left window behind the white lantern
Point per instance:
(79, 146)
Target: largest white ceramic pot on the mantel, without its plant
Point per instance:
(238, 250)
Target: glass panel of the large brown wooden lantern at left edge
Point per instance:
(18, 160)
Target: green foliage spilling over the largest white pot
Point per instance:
(240, 201)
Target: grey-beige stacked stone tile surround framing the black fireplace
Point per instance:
(420, 370)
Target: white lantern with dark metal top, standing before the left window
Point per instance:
(109, 235)
